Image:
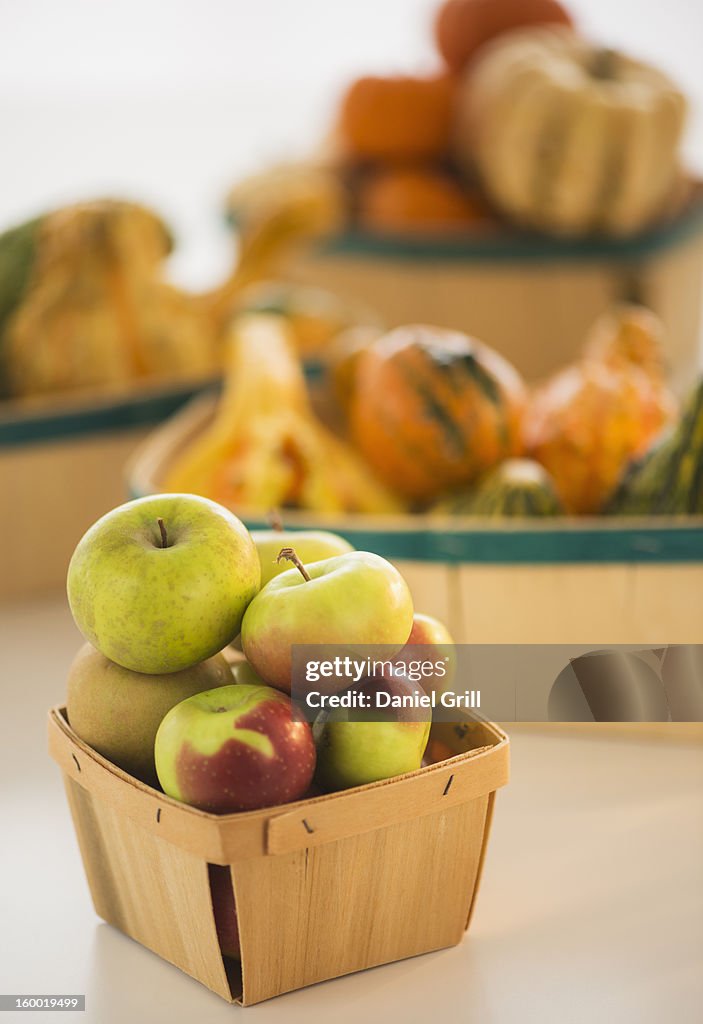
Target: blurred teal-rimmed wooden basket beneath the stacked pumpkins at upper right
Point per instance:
(533, 298)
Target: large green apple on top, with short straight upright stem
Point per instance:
(162, 583)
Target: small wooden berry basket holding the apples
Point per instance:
(323, 887)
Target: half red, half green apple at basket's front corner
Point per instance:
(235, 749)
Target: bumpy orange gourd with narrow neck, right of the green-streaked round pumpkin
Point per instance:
(591, 420)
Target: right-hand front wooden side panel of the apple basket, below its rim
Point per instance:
(371, 899)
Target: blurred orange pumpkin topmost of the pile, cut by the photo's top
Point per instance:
(463, 26)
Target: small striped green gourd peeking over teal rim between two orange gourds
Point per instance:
(515, 488)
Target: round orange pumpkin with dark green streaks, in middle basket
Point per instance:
(432, 409)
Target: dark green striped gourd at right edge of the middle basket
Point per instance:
(669, 480)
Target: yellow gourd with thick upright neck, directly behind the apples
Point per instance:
(266, 448)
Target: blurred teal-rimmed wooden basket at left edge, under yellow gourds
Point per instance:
(62, 467)
